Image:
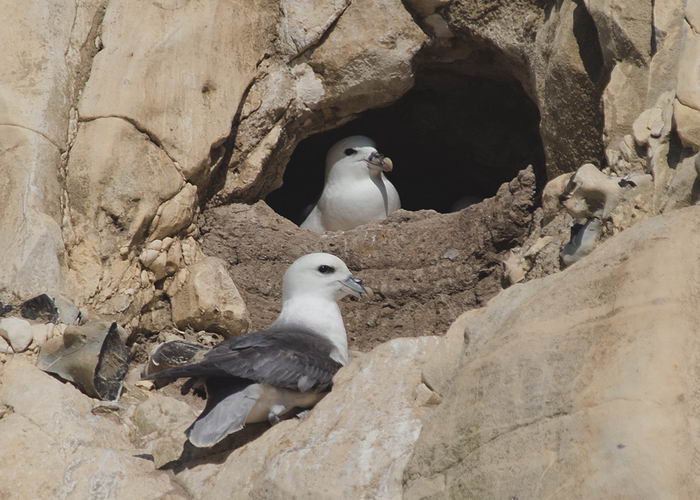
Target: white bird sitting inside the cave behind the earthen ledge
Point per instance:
(356, 190)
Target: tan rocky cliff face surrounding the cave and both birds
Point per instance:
(138, 141)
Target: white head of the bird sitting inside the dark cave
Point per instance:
(356, 155)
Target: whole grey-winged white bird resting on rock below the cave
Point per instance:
(261, 376)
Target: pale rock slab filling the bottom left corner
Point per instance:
(53, 445)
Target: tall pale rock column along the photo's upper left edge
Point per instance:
(44, 55)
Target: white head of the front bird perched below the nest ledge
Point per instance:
(322, 275)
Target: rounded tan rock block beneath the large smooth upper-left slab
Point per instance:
(118, 178)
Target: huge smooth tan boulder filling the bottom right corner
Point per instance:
(579, 385)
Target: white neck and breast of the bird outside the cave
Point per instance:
(320, 315)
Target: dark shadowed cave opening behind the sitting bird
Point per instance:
(452, 138)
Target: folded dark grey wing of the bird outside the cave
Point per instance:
(289, 358)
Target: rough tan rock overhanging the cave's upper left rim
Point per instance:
(338, 73)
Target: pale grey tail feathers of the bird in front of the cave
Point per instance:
(229, 402)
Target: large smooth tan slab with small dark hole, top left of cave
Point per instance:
(141, 79)
